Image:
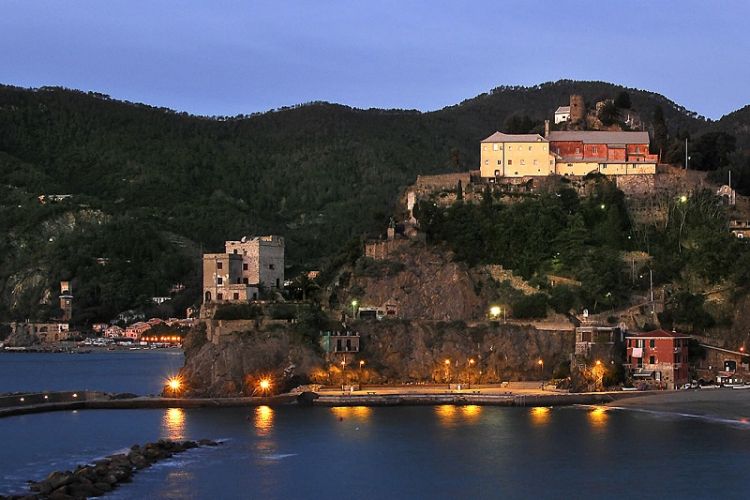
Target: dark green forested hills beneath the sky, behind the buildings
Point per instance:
(152, 187)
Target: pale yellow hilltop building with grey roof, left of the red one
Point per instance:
(516, 155)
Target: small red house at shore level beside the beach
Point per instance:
(659, 357)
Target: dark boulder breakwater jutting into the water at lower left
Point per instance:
(104, 475)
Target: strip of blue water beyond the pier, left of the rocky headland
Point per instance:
(139, 372)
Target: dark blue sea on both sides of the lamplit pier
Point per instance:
(369, 453)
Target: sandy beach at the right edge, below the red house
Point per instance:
(724, 404)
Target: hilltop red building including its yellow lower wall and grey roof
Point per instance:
(579, 153)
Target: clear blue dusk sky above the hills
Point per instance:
(223, 57)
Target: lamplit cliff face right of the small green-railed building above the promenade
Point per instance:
(416, 351)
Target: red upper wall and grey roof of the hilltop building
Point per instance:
(601, 146)
